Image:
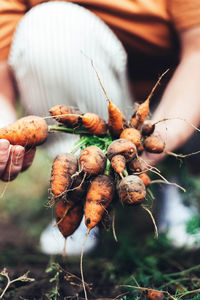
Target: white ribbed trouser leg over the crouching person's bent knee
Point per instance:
(49, 58)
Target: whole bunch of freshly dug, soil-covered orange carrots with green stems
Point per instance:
(108, 165)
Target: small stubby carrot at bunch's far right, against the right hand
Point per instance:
(154, 144)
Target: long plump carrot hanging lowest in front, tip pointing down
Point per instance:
(99, 196)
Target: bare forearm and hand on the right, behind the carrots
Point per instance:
(180, 103)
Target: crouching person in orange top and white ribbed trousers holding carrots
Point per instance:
(44, 51)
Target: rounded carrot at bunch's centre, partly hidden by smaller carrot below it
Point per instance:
(123, 147)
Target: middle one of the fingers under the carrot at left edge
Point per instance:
(14, 163)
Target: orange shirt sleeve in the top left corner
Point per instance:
(11, 12)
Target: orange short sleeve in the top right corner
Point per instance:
(184, 14)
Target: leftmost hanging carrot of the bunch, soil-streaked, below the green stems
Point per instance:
(64, 166)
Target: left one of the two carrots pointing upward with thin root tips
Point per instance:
(116, 120)
